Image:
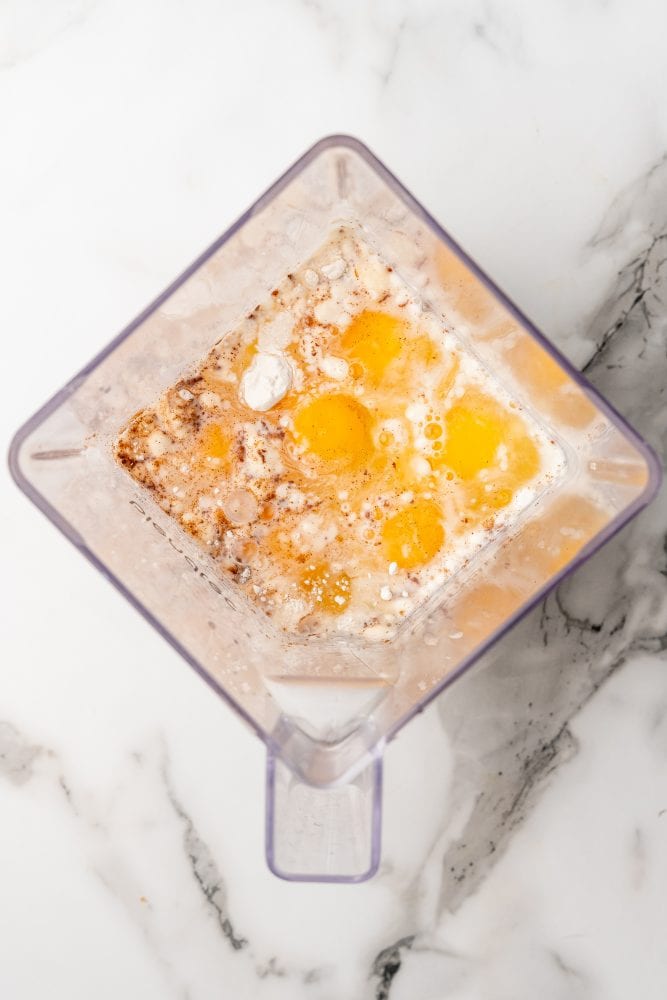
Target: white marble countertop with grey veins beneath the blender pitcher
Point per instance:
(534, 862)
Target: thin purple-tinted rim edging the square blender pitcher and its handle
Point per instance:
(655, 471)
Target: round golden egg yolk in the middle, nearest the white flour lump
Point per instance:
(336, 429)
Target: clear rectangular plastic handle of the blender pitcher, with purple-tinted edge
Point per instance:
(323, 833)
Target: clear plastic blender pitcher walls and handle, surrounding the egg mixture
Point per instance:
(326, 708)
